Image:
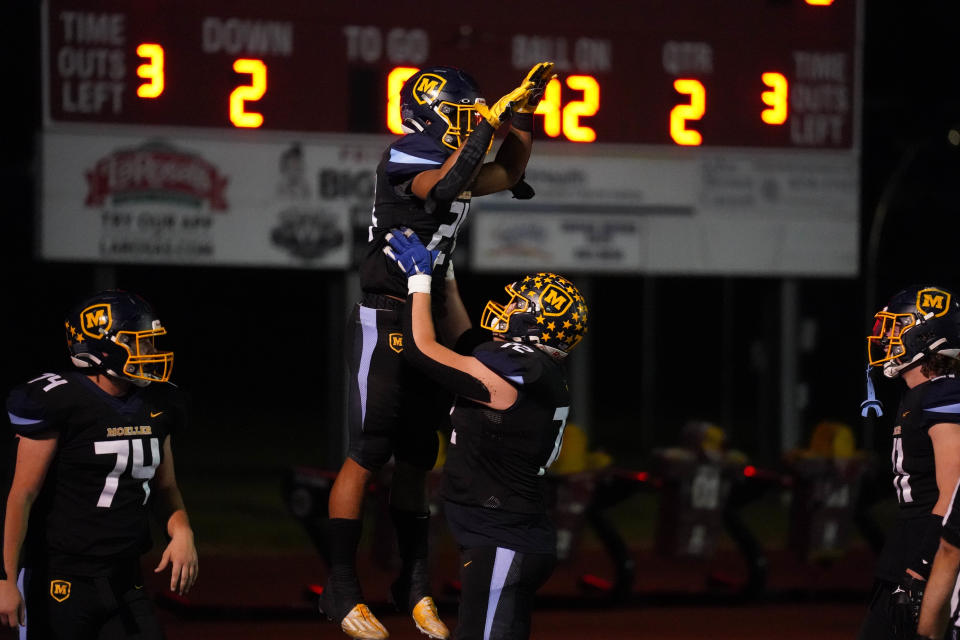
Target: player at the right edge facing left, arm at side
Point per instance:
(916, 338)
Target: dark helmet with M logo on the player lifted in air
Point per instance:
(441, 101)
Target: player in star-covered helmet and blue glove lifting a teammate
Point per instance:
(511, 407)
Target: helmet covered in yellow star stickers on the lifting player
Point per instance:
(544, 309)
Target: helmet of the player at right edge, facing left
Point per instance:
(917, 322)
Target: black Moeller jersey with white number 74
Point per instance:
(94, 504)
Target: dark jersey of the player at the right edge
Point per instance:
(914, 472)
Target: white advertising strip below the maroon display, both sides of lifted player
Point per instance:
(305, 203)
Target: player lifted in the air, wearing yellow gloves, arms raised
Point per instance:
(425, 181)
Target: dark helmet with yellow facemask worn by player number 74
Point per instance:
(115, 332)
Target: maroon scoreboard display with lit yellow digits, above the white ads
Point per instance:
(755, 73)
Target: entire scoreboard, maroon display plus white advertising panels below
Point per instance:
(679, 136)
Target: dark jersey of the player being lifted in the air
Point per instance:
(395, 206)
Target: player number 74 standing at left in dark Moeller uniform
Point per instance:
(93, 460)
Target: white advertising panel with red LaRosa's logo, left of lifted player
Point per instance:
(133, 199)
